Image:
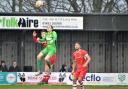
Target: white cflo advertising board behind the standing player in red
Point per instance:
(102, 79)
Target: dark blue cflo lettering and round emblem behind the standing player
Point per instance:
(91, 77)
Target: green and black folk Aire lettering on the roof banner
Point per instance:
(14, 22)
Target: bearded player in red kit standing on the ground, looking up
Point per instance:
(80, 65)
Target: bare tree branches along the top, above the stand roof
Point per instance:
(66, 6)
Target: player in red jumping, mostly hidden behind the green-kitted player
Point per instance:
(44, 44)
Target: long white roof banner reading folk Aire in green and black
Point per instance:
(41, 22)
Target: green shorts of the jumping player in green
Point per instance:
(49, 50)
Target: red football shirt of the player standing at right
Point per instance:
(78, 56)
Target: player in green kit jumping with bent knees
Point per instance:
(50, 38)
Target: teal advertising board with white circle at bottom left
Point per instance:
(8, 77)
